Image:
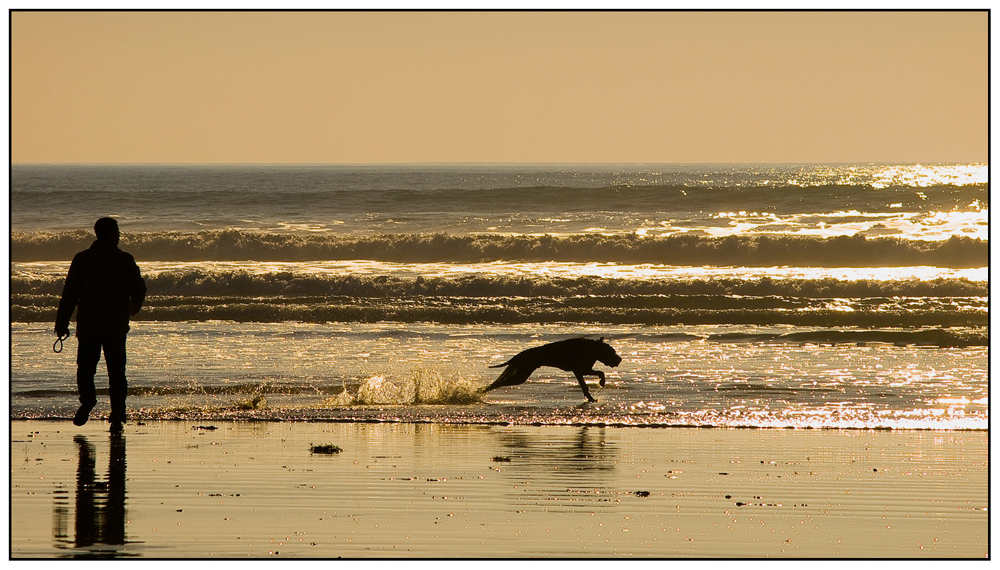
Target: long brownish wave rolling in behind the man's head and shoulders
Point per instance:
(752, 251)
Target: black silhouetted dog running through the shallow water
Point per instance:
(576, 355)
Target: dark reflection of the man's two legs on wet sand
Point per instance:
(100, 505)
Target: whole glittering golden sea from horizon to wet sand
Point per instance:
(802, 296)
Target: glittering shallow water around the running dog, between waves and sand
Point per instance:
(721, 376)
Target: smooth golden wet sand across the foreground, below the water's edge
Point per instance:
(175, 489)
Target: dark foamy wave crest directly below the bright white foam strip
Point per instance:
(240, 283)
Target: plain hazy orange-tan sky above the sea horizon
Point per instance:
(370, 87)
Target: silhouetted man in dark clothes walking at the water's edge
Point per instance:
(105, 283)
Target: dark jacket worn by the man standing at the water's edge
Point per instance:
(105, 283)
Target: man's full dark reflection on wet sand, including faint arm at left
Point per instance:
(99, 520)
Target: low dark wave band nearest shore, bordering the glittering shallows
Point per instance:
(646, 310)
